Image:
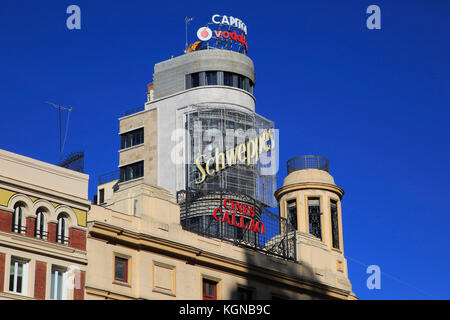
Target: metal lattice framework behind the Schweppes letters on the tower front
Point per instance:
(213, 127)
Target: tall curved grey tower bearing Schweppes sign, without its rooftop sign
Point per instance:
(199, 137)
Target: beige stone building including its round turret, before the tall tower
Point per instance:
(142, 252)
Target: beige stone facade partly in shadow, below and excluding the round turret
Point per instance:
(167, 262)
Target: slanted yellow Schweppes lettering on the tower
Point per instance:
(245, 153)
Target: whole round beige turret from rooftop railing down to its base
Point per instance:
(311, 201)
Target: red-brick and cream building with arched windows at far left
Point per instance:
(43, 215)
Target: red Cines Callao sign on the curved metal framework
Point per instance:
(239, 215)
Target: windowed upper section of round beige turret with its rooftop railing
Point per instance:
(310, 200)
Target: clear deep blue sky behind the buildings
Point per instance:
(374, 102)
